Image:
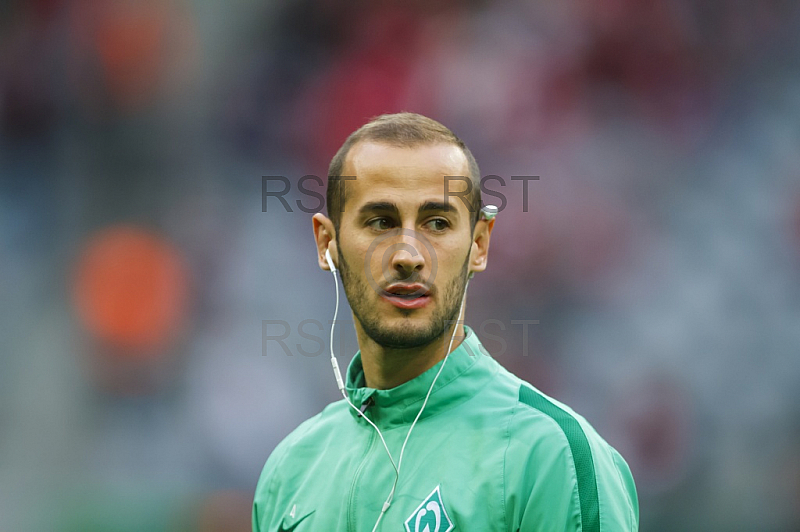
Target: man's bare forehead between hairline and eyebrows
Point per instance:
(394, 173)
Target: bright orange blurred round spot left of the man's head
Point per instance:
(131, 290)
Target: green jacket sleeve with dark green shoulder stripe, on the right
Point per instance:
(567, 478)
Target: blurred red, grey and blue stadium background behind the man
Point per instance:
(660, 251)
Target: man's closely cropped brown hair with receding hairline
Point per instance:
(405, 130)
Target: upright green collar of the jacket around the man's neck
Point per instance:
(469, 367)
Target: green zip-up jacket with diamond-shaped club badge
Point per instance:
(489, 453)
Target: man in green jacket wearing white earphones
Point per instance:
(433, 434)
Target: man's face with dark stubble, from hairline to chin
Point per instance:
(403, 254)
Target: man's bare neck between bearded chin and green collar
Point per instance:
(387, 367)
